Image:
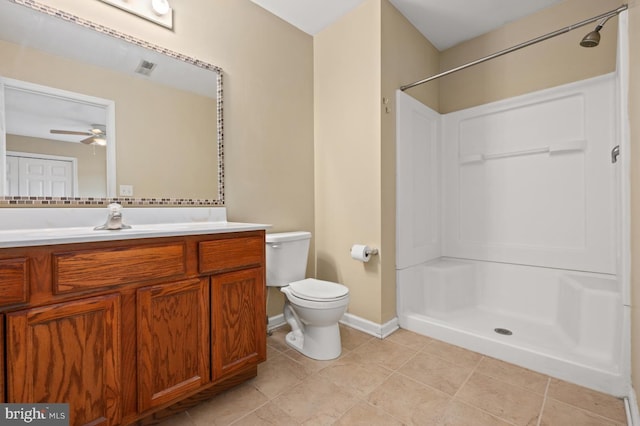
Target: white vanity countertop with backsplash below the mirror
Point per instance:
(35, 227)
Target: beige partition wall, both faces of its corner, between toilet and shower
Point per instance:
(359, 62)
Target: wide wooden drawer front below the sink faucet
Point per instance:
(89, 269)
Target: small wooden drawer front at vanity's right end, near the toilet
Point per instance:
(230, 253)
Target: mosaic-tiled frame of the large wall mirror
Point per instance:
(16, 201)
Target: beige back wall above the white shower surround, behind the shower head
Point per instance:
(551, 63)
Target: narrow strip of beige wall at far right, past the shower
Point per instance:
(634, 114)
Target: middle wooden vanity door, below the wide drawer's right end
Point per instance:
(173, 341)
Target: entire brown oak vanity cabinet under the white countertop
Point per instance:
(130, 331)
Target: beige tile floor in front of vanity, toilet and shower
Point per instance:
(405, 379)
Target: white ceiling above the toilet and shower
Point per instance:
(444, 23)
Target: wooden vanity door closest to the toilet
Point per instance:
(238, 320)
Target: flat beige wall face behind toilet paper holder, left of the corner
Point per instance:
(347, 154)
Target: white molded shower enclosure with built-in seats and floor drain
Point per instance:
(508, 230)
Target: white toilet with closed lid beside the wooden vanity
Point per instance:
(312, 307)
